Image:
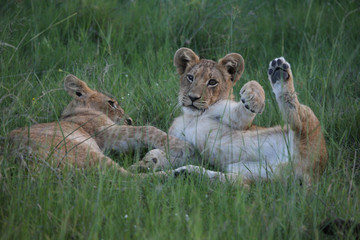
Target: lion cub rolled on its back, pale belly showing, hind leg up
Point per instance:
(221, 130)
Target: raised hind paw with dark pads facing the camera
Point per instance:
(279, 69)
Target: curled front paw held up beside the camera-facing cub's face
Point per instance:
(253, 97)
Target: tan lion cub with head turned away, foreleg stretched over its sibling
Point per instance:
(88, 126)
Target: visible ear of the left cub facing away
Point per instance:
(75, 87)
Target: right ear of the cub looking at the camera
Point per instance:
(234, 64)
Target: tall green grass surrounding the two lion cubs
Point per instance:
(125, 48)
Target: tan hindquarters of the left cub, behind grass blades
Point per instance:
(58, 143)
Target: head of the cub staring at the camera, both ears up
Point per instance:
(204, 82)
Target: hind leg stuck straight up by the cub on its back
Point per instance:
(301, 119)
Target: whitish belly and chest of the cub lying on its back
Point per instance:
(254, 152)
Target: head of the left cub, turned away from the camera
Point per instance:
(87, 100)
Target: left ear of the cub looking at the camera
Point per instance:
(184, 57)
